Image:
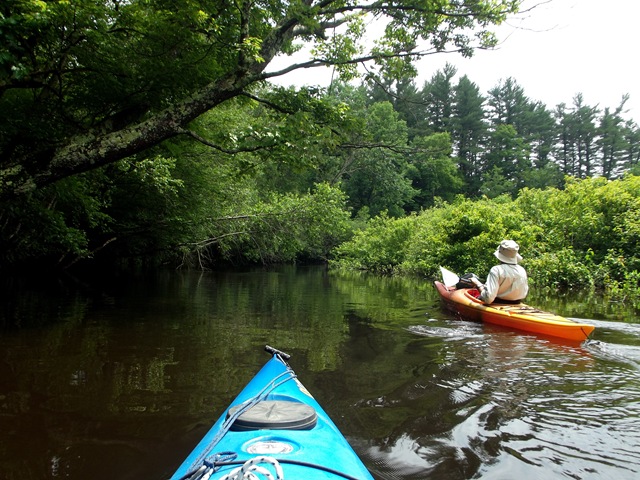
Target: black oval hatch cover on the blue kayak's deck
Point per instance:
(275, 415)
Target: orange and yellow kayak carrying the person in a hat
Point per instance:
(519, 316)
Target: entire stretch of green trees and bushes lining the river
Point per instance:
(133, 134)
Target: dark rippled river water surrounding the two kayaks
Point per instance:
(119, 379)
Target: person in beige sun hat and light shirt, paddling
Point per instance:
(508, 280)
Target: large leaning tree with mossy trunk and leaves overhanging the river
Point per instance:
(85, 84)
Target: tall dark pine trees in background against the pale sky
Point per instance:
(505, 141)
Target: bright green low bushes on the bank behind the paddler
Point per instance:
(584, 236)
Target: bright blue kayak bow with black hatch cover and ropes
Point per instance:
(274, 429)
